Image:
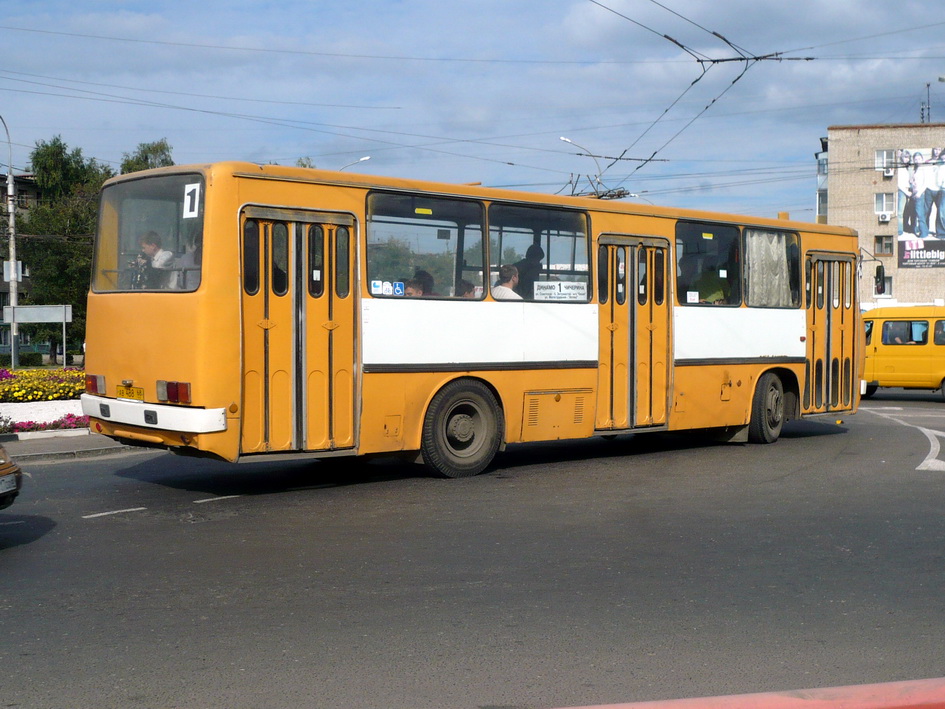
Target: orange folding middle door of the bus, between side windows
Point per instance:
(635, 355)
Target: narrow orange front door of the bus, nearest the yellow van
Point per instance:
(832, 333)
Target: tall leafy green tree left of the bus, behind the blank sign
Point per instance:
(55, 240)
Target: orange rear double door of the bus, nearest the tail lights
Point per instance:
(298, 331)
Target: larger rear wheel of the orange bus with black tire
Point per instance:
(462, 430)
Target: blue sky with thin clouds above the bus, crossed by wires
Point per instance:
(684, 103)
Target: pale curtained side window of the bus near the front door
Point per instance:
(772, 268)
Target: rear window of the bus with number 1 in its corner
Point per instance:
(150, 235)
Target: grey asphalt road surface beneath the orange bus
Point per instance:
(593, 572)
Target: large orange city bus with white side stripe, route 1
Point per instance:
(242, 311)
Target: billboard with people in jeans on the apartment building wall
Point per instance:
(920, 207)
